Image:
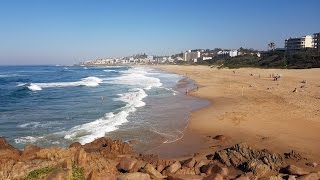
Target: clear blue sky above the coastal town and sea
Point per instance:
(68, 31)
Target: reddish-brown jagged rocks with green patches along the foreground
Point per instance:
(108, 159)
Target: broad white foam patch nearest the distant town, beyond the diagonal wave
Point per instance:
(136, 77)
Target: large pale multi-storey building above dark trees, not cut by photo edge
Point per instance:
(296, 44)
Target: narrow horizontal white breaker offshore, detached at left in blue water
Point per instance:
(88, 81)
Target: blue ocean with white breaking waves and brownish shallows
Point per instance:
(58, 105)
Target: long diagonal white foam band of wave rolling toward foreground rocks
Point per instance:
(88, 132)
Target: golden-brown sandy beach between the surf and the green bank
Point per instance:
(253, 109)
